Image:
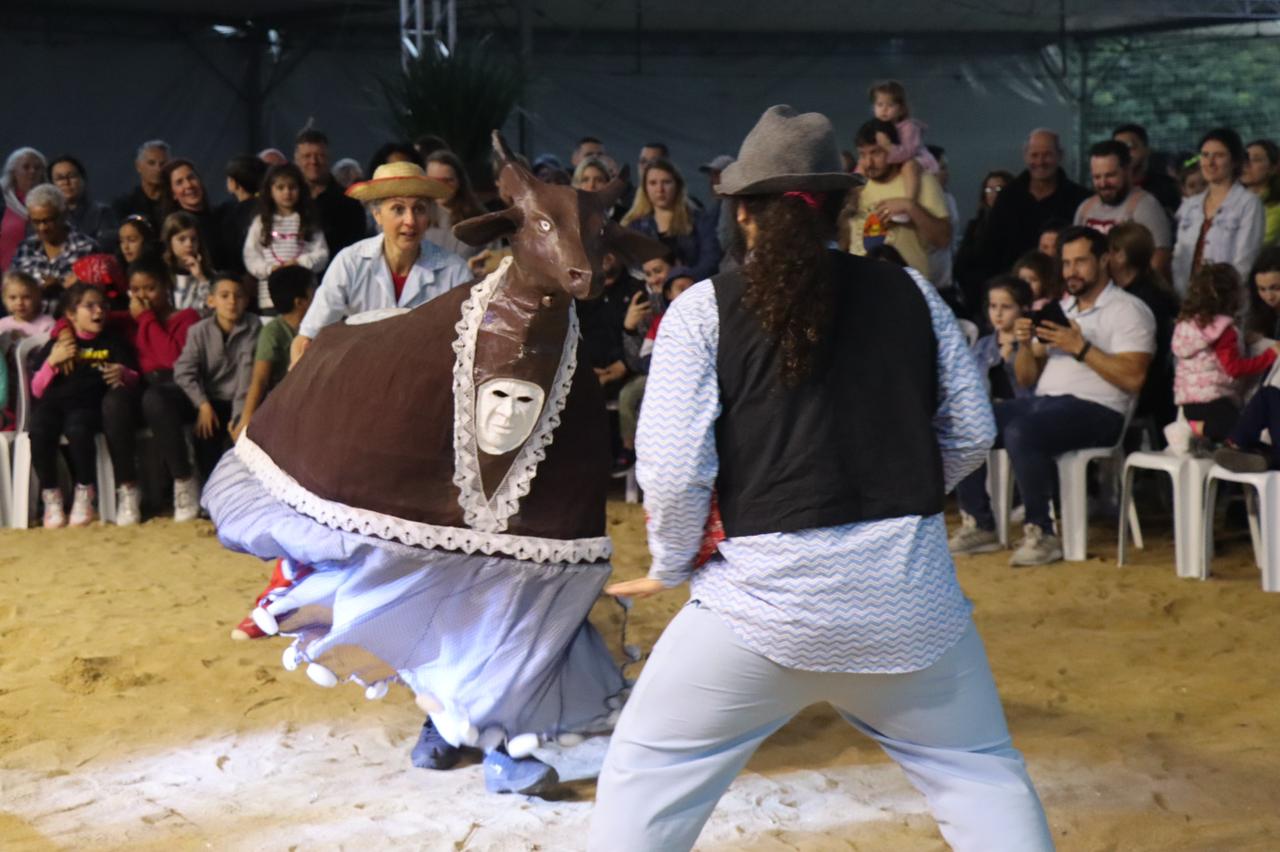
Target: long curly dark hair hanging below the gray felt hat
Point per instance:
(789, 282)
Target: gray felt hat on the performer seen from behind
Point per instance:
(788, 153)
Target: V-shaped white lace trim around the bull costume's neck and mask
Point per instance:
(491, 515)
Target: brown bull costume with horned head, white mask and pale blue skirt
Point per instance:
(442, 474)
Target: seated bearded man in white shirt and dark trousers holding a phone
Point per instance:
(1086, 377)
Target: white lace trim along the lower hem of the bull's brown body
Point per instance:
(341, 516)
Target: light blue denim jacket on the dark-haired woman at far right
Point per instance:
(1236, 236)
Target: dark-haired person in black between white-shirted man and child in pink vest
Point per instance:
(1130, 263)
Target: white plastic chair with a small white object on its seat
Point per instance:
(1188, 475)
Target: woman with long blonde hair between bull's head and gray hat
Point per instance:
(662, 210)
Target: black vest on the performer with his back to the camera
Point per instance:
(854, 442)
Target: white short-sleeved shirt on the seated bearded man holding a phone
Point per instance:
(1117, 323)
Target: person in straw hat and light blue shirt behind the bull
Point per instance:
(399, 268)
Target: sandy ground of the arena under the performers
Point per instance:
(1146, 707)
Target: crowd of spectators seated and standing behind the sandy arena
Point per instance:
(1087, 309)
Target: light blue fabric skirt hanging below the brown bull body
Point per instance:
(495, 648)
